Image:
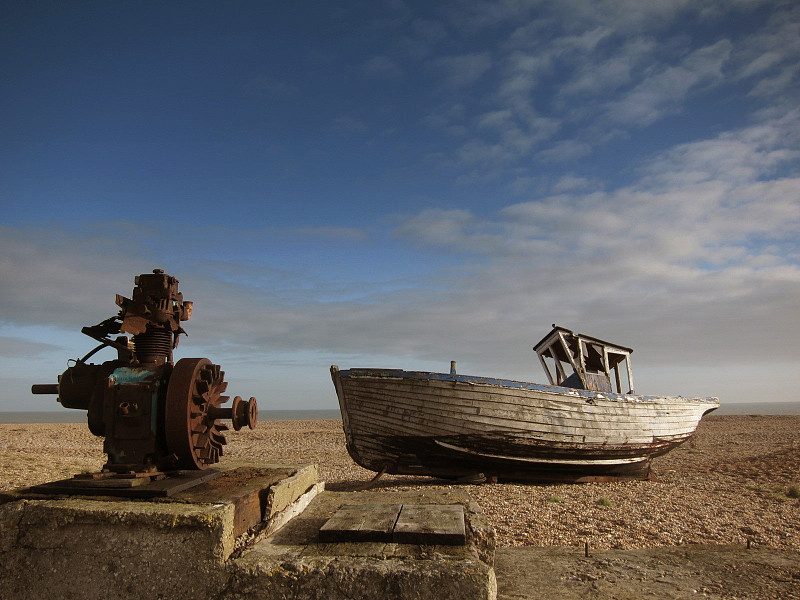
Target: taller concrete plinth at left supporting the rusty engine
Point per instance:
(180, 547)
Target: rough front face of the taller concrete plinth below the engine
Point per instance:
(89, 549)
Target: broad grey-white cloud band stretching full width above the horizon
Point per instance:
(682, 269)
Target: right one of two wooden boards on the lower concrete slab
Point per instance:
(430, 524)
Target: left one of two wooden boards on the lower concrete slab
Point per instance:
(361, 523)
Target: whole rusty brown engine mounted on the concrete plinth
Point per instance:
(157, 418)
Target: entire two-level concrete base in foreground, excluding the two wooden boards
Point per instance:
(251, 533)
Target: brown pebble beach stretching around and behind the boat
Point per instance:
(737, 480)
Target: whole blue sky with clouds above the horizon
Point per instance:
(401, 184)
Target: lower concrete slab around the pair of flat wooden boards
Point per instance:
(292, 563)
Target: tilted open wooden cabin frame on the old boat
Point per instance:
(592, 361)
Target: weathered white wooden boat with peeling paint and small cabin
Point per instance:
(576, 428)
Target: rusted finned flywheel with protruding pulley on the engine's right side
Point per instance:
(194, 409)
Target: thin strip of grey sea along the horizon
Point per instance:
(79, 416)
